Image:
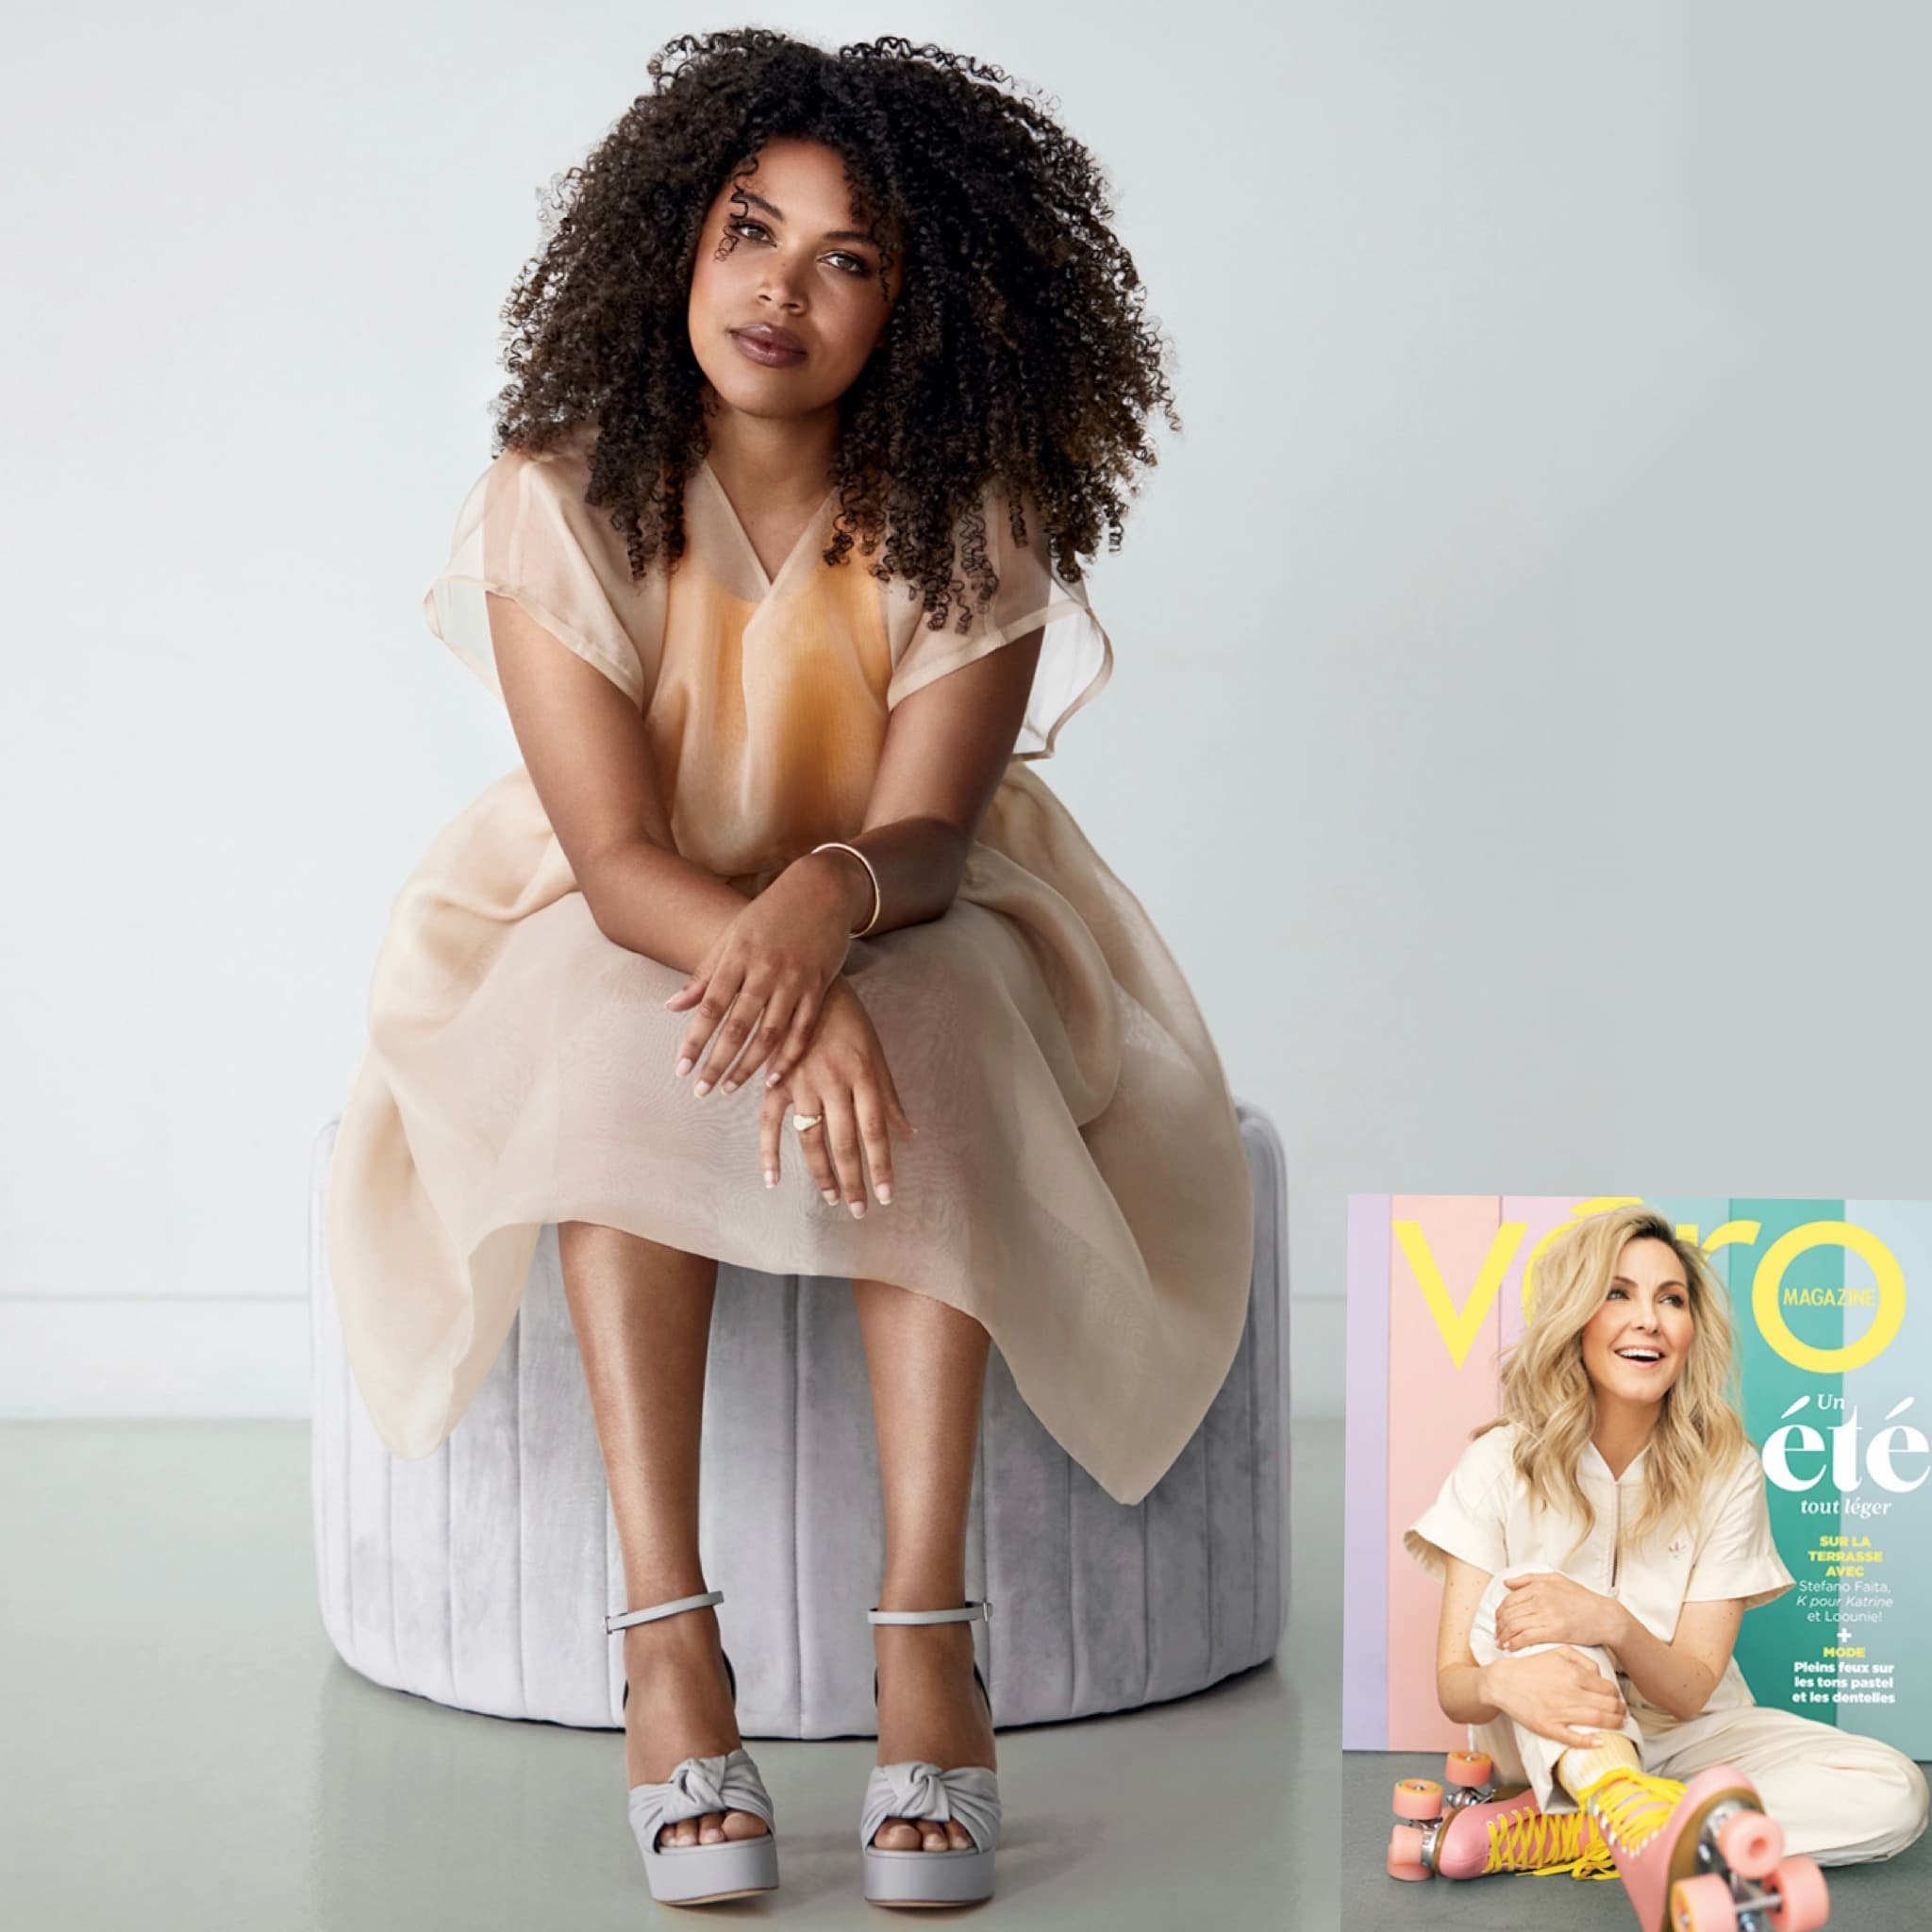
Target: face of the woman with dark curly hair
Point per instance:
(799, 268)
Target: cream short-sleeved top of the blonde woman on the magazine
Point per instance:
(1489, 1518)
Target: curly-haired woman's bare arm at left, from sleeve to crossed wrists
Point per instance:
(590, 760)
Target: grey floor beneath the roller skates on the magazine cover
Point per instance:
(1865, 1898)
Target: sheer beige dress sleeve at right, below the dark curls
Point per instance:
(1075, 654)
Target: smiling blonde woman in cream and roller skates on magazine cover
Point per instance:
(1599, 1545)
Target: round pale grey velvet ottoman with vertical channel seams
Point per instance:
(482, 1576)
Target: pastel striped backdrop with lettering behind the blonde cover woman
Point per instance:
(1833, 1363)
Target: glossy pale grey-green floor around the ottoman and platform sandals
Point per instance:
(181, 1747)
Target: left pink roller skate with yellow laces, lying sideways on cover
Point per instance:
(1467, 1829)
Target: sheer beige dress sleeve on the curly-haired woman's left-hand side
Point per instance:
(526, 534)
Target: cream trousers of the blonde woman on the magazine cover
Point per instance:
(1840, 1798)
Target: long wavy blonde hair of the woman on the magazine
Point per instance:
(1547, 1390)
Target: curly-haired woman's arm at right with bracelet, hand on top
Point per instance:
(946, 753)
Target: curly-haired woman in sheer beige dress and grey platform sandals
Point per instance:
(776, 950)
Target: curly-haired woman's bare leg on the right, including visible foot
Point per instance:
(928, 1373)
